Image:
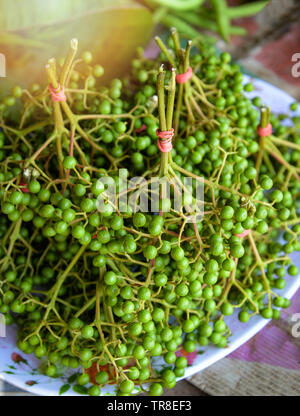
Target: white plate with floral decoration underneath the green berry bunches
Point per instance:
(20, 373)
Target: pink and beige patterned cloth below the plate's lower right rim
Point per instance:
(268, 364)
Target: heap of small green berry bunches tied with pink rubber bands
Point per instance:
(106, 290)
